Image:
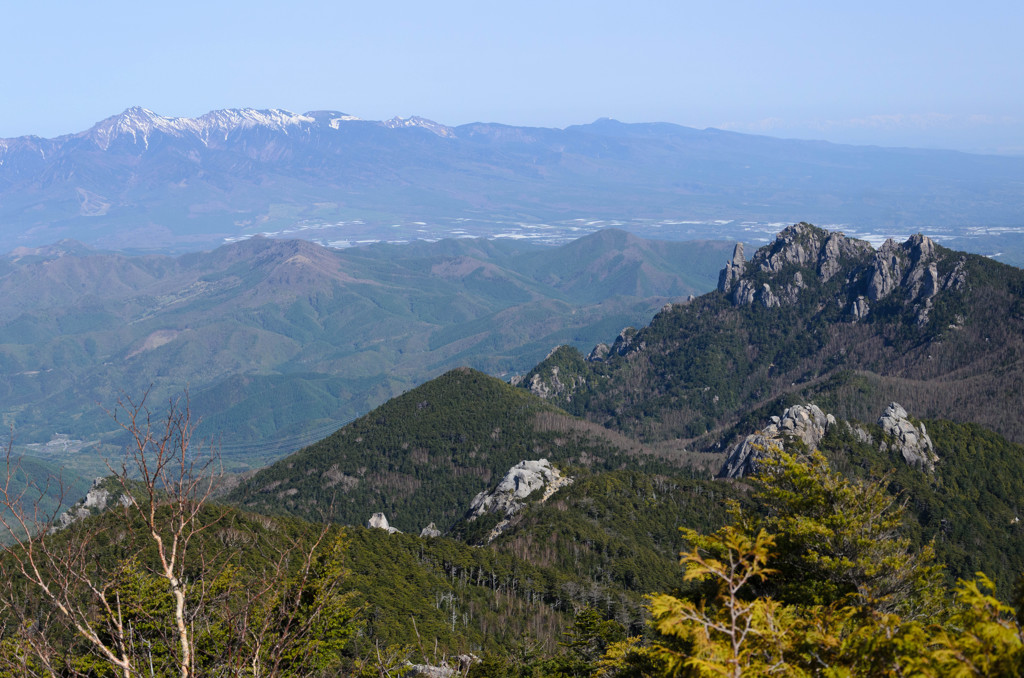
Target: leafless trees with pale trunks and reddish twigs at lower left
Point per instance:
(57, 589)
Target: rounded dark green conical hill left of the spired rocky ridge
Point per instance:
(422, 457)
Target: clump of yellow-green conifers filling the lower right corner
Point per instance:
(835, 592)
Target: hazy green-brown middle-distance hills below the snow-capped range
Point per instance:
(282, 342)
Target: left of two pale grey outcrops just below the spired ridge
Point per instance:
(806, 423)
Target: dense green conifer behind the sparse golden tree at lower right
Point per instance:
(840, 541)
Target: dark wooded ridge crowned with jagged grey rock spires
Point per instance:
(814, 317)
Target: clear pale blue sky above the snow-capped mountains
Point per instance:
(921, 74)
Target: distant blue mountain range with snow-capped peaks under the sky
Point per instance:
(145, 182)
